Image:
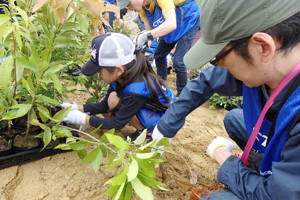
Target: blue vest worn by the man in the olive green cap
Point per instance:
(252, 109)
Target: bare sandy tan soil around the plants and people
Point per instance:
(60, 177)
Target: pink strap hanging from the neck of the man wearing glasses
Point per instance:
(270, 101)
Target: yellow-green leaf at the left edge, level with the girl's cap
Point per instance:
(6, 69)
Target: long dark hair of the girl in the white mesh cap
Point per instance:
(141, 69)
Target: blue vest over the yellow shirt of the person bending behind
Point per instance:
(186, 17)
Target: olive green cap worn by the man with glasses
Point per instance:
(223, 21)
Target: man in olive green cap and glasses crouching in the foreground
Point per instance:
(254, 49)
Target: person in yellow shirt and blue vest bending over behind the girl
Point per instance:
(176, 22)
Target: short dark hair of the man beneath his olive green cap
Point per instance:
(287, 32)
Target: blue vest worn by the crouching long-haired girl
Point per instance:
(144, 114)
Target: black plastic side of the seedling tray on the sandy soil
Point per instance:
(28, 156)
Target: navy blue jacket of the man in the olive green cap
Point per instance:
(244, 182)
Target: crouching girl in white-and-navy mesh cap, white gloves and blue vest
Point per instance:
(136, 95)
